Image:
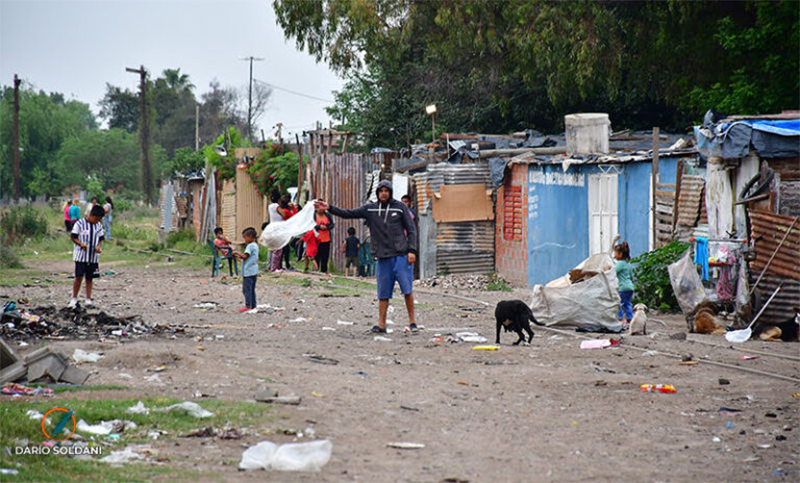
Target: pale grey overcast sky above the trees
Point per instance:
(76, 47)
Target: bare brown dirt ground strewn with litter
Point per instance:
(545, 412)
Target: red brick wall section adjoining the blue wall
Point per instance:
(511, 232)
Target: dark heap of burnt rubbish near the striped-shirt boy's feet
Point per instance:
(25, 325)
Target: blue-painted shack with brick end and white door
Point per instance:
(553, 211)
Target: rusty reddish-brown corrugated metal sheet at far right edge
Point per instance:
(767, 230)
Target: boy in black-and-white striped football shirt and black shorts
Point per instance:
(87, 235)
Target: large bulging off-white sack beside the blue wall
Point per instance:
(588, 303)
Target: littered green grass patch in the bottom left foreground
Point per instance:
(15, 425)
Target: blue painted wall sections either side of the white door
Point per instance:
(558, 214)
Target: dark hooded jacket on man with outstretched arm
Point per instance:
(391, 228)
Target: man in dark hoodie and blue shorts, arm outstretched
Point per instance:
(394, 244)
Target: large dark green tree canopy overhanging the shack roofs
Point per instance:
(500, 66)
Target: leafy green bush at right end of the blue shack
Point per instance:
(651, 278)
